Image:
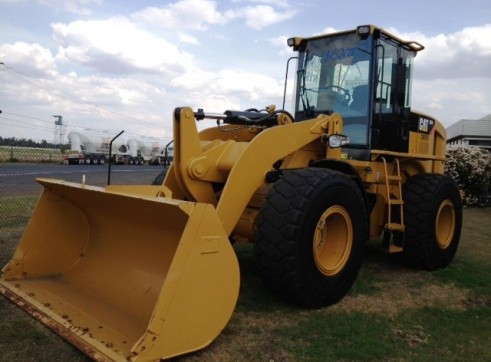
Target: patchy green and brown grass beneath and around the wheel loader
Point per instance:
(392, 313)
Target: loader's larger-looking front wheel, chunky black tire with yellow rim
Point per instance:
(310, 237)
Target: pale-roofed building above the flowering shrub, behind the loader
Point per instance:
(471, 132)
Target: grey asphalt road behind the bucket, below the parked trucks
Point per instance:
(20, 179)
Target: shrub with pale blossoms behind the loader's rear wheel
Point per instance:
(470, 167)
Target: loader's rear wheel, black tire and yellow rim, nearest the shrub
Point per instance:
(433, 219)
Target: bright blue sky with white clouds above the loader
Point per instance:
(107, 66)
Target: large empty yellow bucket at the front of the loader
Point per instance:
(124, 276)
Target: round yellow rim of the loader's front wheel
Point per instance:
(333, 240)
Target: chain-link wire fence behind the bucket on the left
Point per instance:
(21, 166)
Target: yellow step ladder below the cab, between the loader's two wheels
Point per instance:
(394, 202)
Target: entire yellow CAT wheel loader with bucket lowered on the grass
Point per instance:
(351, 162)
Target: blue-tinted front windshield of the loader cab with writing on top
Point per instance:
(334, 76)
